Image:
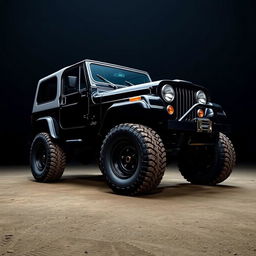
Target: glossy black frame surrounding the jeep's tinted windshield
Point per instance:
(94, 82)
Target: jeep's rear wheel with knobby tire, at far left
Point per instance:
(54, 161)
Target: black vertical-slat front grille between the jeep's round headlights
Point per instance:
(185, 99)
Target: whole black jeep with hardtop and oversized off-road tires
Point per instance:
(132, 122)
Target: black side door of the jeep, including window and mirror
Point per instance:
(74, 99)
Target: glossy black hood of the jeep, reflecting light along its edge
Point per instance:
(141, 89)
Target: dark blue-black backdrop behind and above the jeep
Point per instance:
(211, 43)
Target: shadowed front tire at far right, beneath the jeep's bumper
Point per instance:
(208, 165)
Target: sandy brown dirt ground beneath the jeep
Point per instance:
(81, 216)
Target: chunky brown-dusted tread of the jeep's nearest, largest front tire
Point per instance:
(153, 162)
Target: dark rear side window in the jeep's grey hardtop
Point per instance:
(47, 91)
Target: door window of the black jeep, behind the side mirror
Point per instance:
(70, 80)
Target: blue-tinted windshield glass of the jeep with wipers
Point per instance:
(117, 75)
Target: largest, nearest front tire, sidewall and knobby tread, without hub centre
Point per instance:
(151, 159)
